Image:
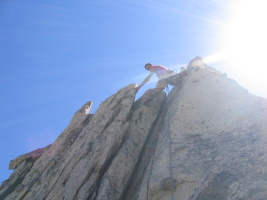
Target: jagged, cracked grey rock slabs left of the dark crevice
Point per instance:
(95, 156)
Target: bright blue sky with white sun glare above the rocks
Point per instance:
(57, 55)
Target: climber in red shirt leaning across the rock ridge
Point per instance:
(165, 76)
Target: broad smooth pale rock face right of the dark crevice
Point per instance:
(218, 142)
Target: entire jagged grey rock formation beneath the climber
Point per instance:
(205, 140)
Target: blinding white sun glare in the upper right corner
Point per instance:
(244, 43)
